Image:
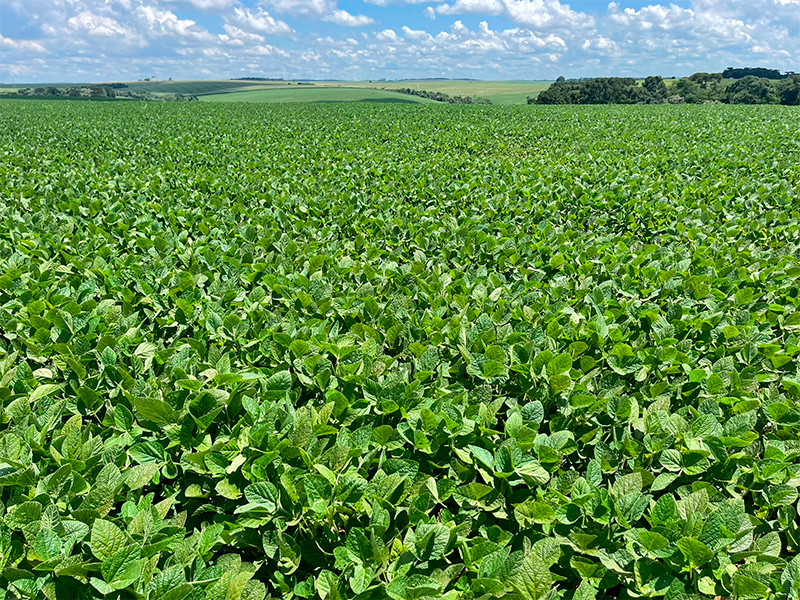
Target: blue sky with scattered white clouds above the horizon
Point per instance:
(125, 40)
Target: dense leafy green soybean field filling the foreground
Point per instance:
(376, 351)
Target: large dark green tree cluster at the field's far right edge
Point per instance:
(700, 88)
